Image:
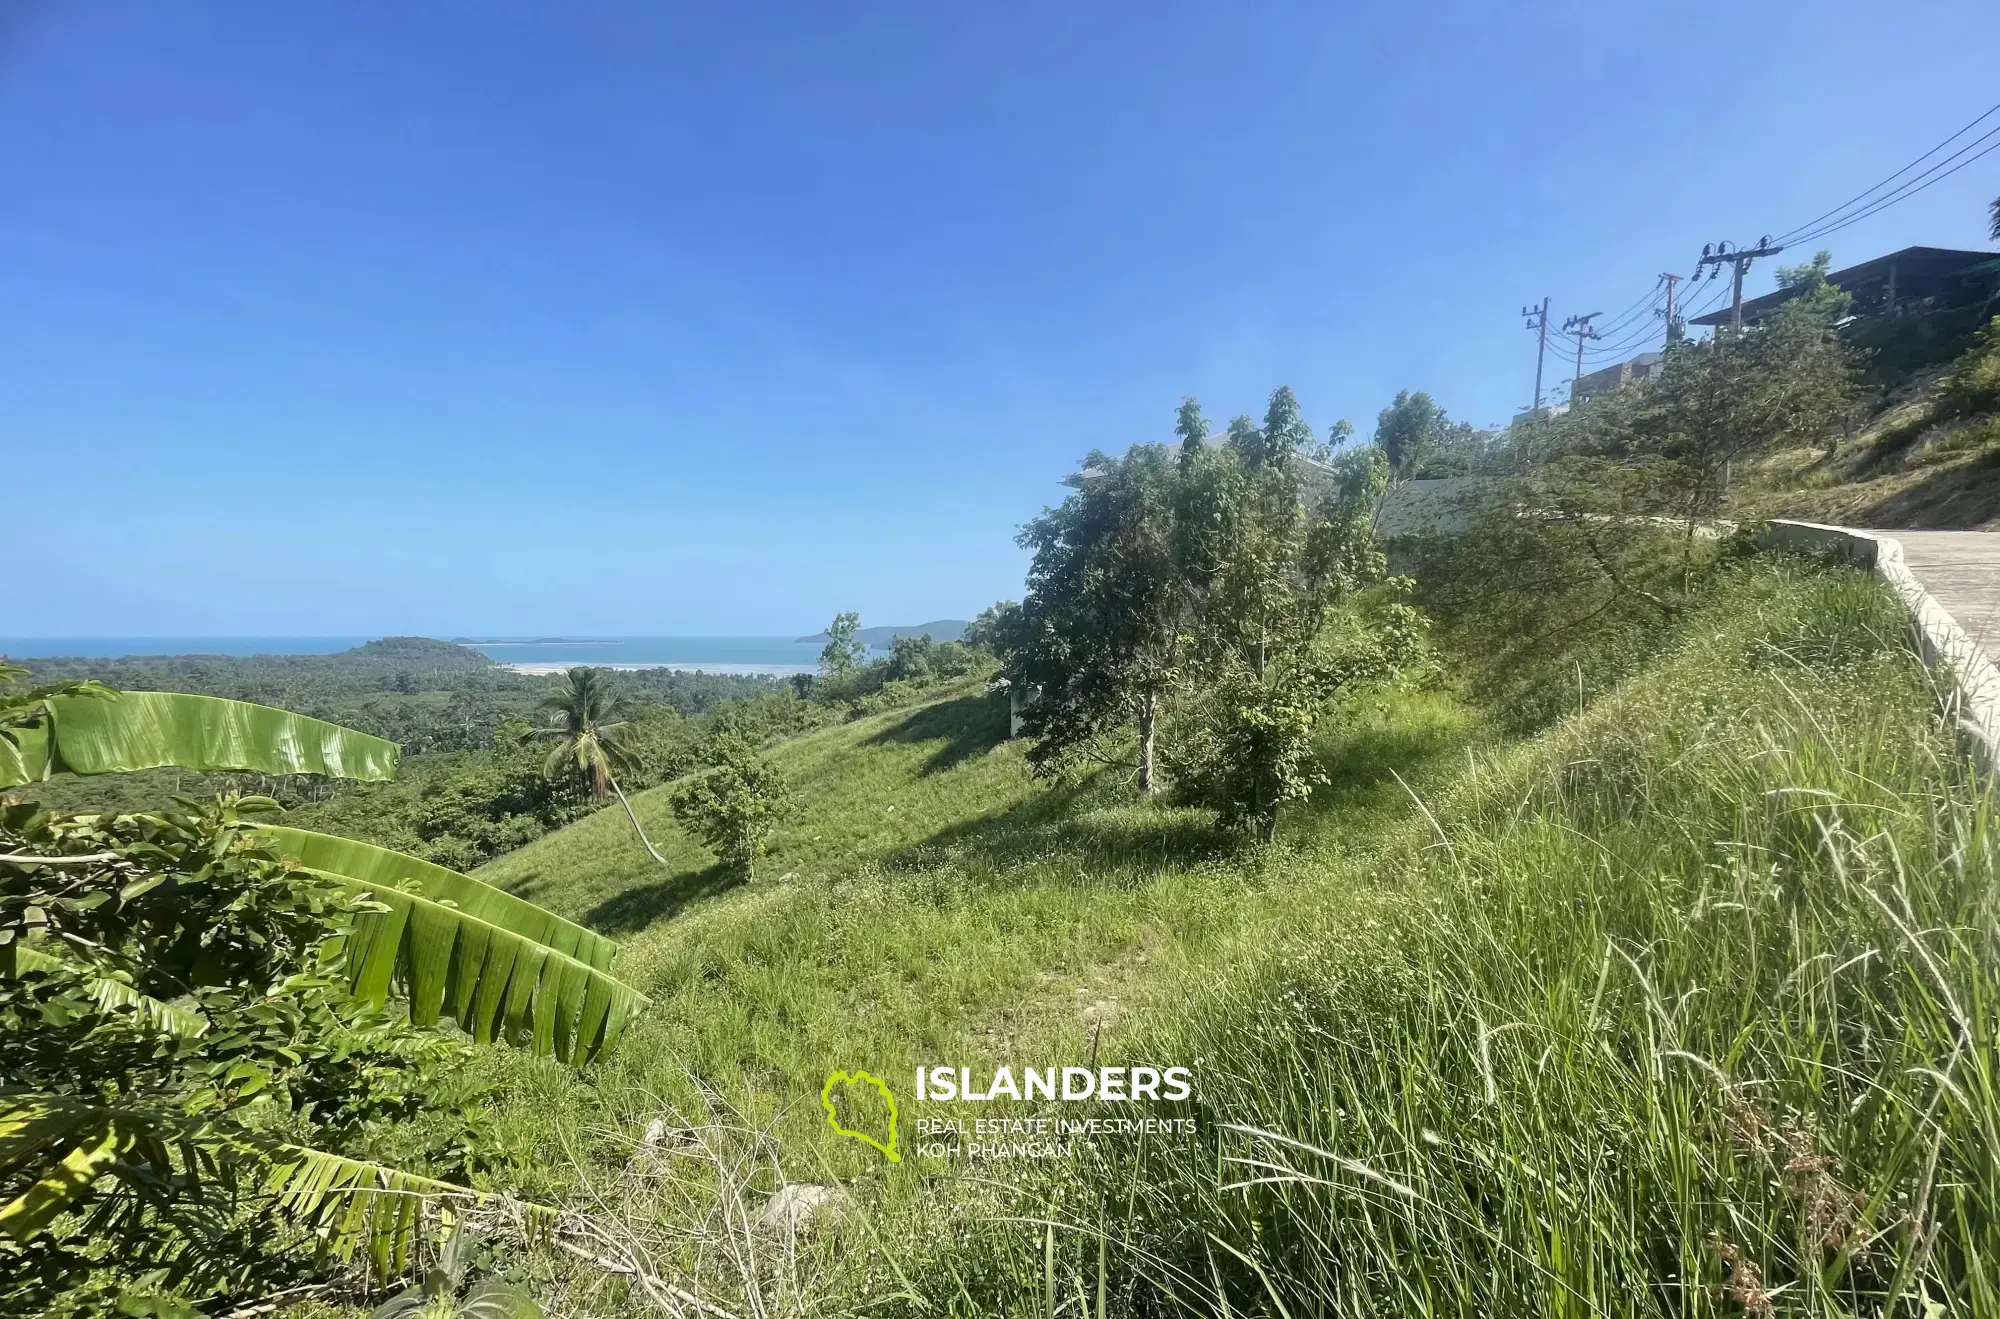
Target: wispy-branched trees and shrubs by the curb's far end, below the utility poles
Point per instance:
(1613, 513)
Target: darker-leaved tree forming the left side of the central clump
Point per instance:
(1099, 639)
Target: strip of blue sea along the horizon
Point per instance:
(779, 657)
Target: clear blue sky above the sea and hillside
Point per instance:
(655, 319)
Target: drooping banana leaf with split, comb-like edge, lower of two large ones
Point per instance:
(493, 982)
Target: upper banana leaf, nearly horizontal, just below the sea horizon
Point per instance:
(145, 730)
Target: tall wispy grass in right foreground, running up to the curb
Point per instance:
(1685, 1008)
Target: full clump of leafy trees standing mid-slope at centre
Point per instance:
(1203, 581)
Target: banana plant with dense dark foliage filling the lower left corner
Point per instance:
(191, 996)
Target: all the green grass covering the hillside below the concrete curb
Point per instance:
(1667, 986)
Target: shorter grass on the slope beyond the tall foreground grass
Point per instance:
(929, 904)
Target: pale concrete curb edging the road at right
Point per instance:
(1941, 641)
